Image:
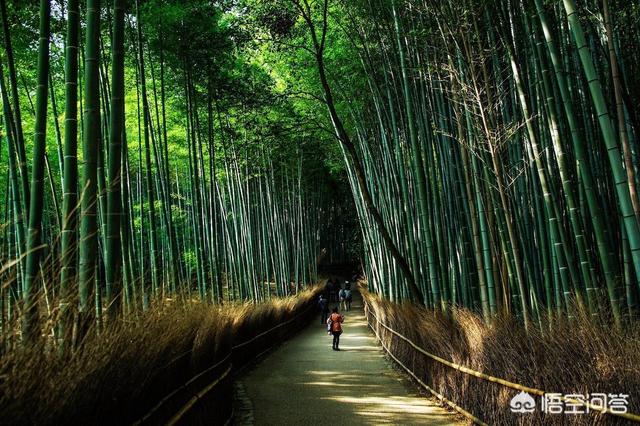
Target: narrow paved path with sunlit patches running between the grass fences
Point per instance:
(304, 382)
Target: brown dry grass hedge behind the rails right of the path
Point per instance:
(579, 357)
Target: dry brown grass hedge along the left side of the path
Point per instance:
(118, 376)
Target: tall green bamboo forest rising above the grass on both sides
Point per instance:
(463, 153)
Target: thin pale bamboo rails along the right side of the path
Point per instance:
(466, 370)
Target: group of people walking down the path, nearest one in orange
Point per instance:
(334, 292)
